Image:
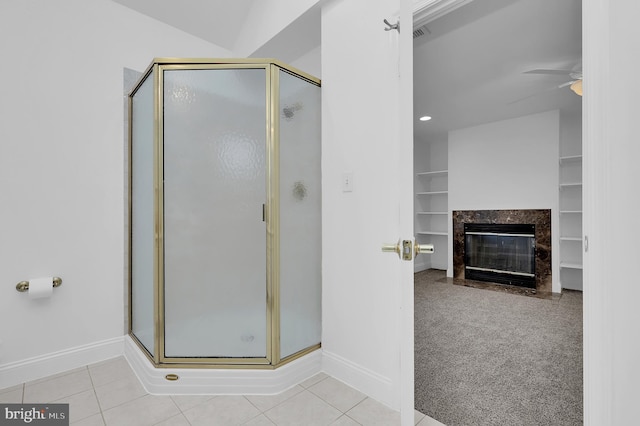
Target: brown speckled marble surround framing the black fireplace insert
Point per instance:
(540, 218)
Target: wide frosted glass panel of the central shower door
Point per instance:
(214, 233)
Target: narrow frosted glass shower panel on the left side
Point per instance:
(142, 214)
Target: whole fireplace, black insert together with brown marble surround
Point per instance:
(532, 255)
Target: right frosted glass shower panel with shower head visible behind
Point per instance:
(300, 209)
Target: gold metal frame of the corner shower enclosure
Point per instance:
(155, 71)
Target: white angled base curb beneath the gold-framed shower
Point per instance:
(203, 381)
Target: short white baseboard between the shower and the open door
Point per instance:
(370, 383)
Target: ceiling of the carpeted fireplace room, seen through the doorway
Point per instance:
(469, 65)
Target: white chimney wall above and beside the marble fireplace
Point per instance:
(510, 164)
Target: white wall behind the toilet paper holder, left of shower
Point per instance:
(62, 165)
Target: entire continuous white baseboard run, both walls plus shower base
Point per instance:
(203, 381)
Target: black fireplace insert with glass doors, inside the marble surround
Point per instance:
(500, 253)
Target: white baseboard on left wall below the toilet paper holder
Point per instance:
(57, 362)
